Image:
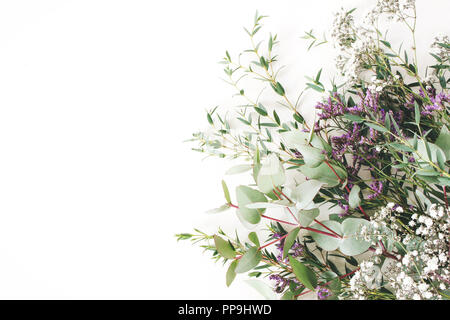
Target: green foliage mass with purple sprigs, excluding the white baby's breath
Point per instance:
(386, 131)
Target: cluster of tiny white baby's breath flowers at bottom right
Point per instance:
(424, 268)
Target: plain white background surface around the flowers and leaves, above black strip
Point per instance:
(96, 98)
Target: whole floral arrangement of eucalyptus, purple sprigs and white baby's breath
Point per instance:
(362, 189)
